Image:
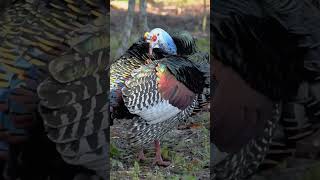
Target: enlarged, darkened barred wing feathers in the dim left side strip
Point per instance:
(74, 104)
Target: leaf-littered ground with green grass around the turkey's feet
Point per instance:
(187, 149)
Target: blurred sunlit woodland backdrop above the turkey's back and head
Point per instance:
(131, 18)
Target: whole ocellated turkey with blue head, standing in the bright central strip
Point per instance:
(157, 95)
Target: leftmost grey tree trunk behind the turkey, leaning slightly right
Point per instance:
(127, 28)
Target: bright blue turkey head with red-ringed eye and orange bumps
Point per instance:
(159, 38)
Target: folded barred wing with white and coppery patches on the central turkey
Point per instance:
(161, 94)
